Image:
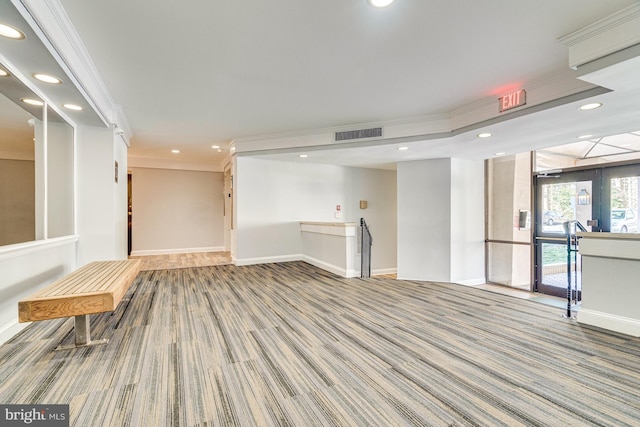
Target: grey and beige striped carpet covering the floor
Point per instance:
(291, 345)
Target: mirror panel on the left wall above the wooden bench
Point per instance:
(36, 168)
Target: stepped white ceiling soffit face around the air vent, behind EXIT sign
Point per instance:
(607, 51)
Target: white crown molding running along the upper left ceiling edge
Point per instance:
(72, 55)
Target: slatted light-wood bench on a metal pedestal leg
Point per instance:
(98, 287)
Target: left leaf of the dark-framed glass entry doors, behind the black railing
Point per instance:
(563, 197)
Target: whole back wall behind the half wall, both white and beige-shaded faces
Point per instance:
(272, 197)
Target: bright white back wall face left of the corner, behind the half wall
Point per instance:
(272, 197)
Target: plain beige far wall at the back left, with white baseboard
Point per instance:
(177, 211)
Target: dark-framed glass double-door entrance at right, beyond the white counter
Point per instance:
(603, 199)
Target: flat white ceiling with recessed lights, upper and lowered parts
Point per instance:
(192, 74)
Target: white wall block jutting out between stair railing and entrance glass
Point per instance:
(441, 220)
